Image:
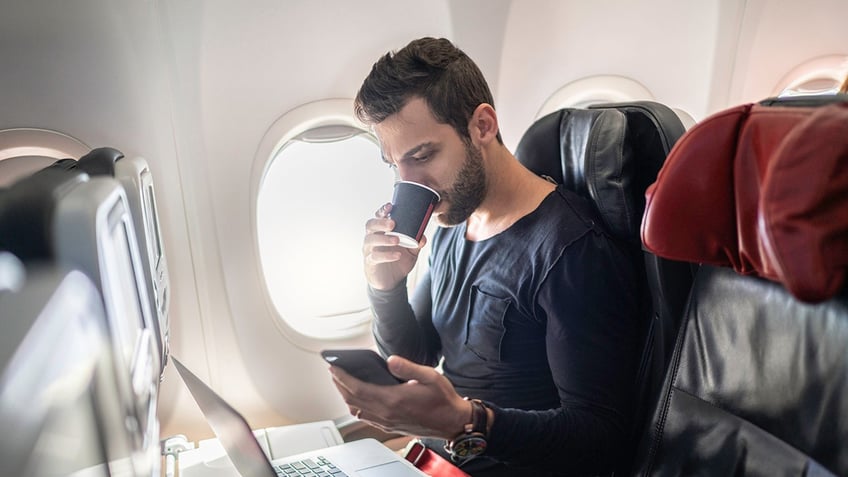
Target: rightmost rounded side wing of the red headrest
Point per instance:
(804, 206)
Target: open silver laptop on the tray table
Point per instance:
(361, 458)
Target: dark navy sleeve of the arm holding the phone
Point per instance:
(590, 308)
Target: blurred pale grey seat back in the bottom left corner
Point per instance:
(58, 390)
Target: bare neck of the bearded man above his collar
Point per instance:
(513, 192)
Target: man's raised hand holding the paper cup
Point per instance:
(386, 263)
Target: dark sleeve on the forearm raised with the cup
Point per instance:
(405, 328)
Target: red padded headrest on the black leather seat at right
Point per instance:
(761, 189)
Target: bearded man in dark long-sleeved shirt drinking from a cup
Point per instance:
(529, 305)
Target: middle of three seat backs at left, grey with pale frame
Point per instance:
(94, 233)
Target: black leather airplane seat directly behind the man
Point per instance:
(609, 154)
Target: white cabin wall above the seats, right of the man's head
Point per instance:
(700, 57)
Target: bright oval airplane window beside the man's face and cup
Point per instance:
(316, 194)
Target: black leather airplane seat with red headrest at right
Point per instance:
(758, 384)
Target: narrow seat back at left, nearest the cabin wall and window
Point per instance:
(134, 175)
